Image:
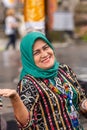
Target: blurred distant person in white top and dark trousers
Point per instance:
(11, 26)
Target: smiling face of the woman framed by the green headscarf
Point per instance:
(43, 55)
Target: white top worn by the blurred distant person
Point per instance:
(9, 21)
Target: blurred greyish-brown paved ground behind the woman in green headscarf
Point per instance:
(73, 54)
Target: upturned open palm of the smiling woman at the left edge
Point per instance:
(8, 93)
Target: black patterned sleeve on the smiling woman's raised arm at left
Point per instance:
(29, 95)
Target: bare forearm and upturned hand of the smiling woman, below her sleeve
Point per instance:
(18, 106)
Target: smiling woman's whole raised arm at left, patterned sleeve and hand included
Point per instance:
(23, 101)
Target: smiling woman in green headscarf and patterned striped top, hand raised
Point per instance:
(49, 96)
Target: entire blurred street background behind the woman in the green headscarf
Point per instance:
(65, 24)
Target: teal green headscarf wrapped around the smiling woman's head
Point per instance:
(27, 59)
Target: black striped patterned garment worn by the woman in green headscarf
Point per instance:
(49, 110)
